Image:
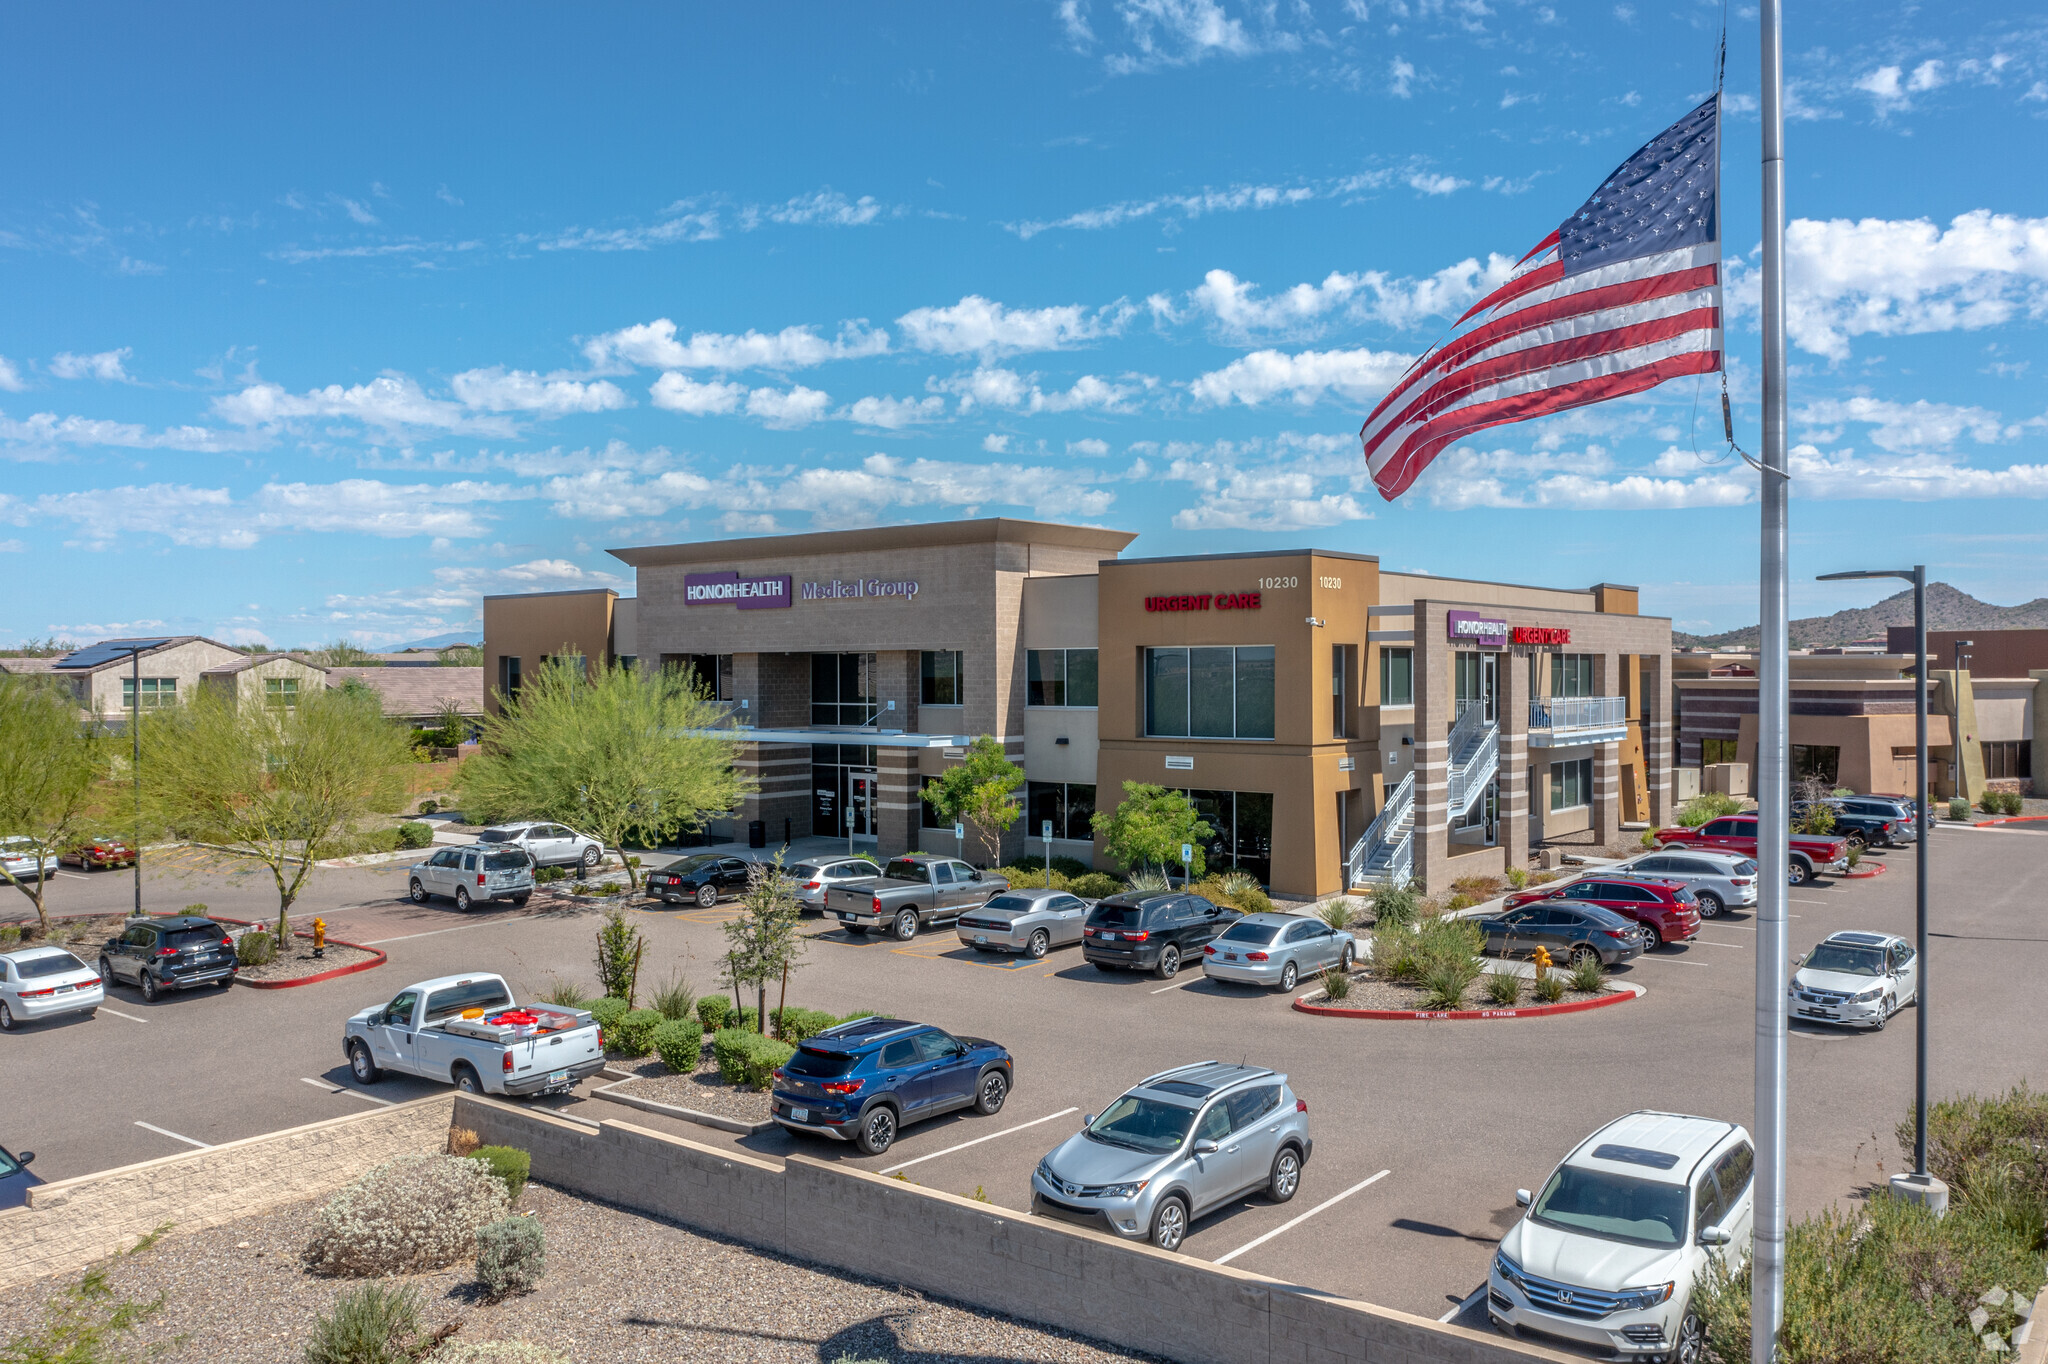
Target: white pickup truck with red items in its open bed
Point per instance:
(464, 1029)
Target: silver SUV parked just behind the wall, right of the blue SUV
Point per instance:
(1177, 1146)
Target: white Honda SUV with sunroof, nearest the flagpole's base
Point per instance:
(1623, 1230)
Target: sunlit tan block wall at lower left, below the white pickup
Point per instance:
(71, 1224)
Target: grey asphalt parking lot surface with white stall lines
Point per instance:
(1422, 1132)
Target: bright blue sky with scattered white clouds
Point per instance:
(329, 321)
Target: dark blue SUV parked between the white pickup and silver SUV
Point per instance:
(871, 1078)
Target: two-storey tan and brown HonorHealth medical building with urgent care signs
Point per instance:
(1334, 724)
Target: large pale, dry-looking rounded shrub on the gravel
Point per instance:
(411, 1213)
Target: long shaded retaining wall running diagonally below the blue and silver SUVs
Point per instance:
(972, 1252)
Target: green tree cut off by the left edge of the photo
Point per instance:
(50, 777)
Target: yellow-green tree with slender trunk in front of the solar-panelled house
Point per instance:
(278, 785)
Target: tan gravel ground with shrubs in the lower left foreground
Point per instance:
(620, 1289)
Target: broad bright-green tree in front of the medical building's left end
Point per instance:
(624, 755)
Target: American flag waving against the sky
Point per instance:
(1621, 298)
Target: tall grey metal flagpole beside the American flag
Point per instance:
(1775, 796)
